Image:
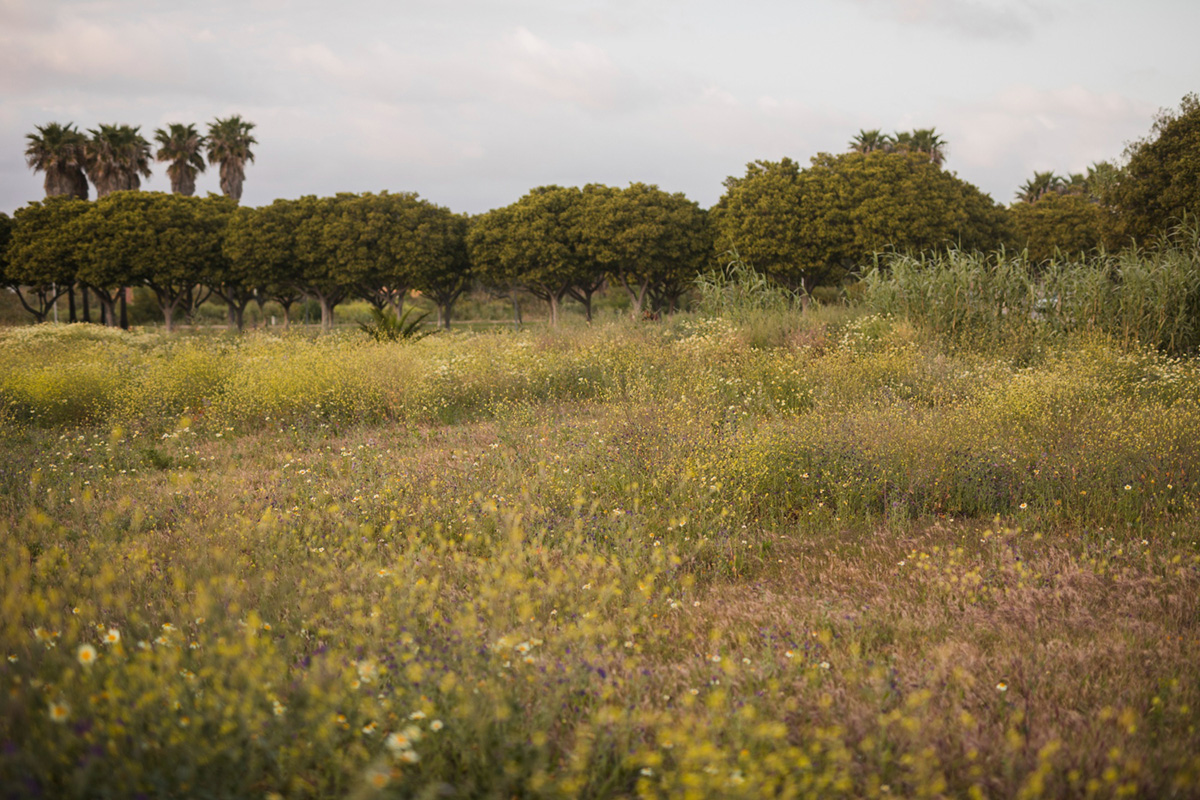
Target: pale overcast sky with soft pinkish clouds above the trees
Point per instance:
(473, 103)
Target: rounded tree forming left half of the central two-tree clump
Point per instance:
(535, 244)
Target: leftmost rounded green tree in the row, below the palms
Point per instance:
(41, 257)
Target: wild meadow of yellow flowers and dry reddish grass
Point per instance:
(820, 555)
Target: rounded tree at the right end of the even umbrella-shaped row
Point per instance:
(651, 242)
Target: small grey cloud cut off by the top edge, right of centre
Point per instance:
(987, 20)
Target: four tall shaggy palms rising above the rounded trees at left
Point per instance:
(117, 158)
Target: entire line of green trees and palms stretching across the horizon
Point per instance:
(802, 226)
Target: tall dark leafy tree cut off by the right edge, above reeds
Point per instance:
(1161, 182)
